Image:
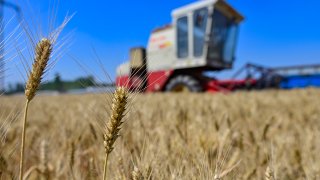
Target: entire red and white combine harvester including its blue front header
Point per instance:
(202, 38)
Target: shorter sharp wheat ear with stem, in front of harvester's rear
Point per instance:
(119, 103)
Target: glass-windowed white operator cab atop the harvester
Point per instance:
(206, 35)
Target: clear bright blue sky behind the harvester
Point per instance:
(274, 33)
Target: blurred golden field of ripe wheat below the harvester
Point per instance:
(243, 135)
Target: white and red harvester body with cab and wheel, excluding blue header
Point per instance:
(202, 37)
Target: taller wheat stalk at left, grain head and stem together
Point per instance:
(42, 54)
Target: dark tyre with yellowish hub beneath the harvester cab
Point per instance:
(183, 83)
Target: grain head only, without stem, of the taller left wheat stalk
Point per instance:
(42, 54)
